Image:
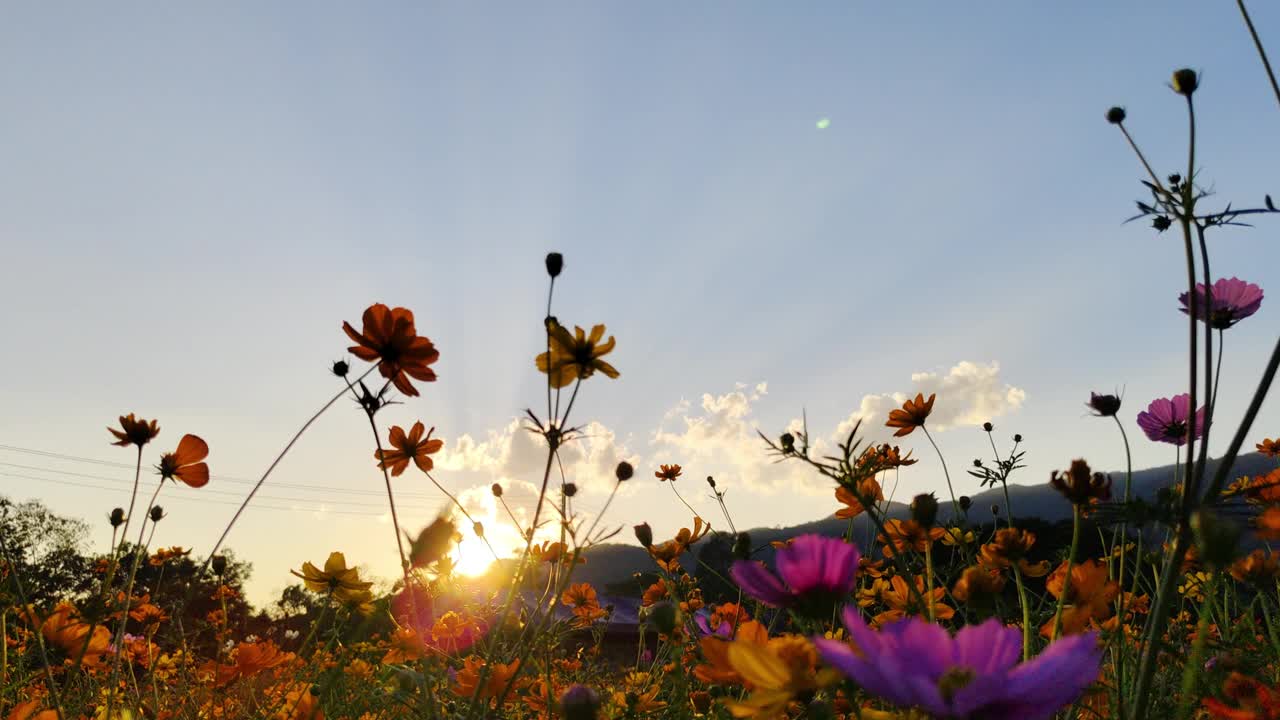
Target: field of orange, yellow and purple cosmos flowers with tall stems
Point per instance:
(1137, 608)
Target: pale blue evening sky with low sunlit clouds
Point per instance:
(194, 199)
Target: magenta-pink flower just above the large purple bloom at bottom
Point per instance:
(816, 572)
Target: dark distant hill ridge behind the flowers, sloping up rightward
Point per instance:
(615, 564)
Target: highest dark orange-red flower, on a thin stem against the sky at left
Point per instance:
(392, 341)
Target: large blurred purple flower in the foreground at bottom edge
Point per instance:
(913, 663)
